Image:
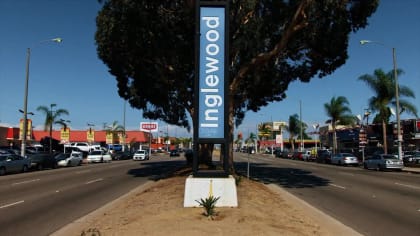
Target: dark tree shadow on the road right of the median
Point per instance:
(285, 177)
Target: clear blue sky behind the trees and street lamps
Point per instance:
(71, 75)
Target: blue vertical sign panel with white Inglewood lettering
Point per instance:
(211, 114)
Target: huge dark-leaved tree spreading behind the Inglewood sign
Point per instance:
(149, 48)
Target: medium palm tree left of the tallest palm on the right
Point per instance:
(339, 113)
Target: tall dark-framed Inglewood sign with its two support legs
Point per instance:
(211, 79)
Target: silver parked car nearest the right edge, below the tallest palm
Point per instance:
(383, 162)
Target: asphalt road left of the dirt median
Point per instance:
(40, 202)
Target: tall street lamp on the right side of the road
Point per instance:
(397, 96)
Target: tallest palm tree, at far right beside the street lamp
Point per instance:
(383, 85)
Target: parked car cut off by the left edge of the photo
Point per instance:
(13, 163)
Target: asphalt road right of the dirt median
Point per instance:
(370, 202)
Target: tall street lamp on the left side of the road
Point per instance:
(25, 98)
